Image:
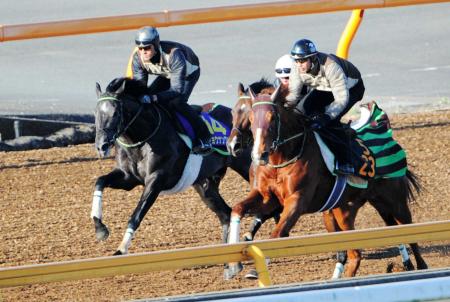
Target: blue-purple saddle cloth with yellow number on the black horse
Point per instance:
(219, 131)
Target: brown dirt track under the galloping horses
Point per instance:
(46, 201)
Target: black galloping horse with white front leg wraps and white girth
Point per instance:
(150, 152)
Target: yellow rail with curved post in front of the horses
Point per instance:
(224, 253)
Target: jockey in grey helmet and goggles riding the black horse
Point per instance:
(177, 70)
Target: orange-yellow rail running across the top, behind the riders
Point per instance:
(192, 16)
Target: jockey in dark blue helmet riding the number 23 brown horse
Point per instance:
(334, 86)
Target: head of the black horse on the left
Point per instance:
(110, 112)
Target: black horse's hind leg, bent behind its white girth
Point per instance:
(209, 193)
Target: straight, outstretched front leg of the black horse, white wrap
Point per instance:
(152, 189)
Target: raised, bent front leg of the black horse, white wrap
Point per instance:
(116, 179)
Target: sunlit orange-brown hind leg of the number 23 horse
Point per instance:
(345, 219)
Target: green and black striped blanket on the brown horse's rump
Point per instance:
(390, 158)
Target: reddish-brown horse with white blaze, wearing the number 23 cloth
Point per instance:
(289, 167)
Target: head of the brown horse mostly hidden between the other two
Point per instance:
(240, 136)
